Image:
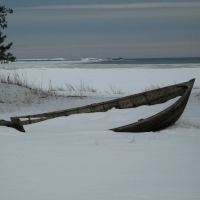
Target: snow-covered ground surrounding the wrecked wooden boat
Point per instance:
(79, 158)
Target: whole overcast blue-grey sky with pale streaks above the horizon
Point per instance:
(103, 28)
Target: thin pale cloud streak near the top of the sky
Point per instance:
(119, 6)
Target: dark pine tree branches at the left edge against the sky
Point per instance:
(5, 56)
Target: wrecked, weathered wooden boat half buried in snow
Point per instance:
(156, 122)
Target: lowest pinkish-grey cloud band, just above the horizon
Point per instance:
(141, 49)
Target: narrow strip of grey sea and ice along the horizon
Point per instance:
(98, 63)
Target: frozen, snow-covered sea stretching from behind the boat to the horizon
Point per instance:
(103, 73)
